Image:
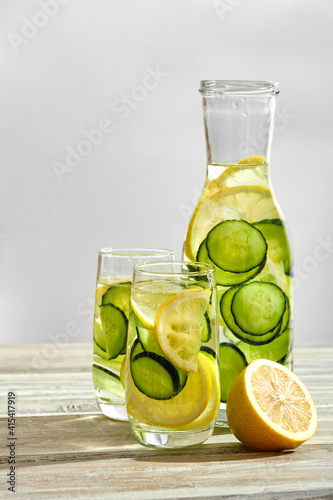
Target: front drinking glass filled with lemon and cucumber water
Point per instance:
(172, 378)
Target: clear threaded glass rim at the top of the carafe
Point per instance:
(251, 88)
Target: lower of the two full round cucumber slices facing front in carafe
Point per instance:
(258, 307)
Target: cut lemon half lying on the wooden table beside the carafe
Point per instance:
(269, 408)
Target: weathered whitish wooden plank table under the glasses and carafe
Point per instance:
(65, 448)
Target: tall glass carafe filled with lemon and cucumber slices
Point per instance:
(238, 227)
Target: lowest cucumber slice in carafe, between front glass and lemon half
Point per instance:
(232, 363)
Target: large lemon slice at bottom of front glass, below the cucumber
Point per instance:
(178, 411)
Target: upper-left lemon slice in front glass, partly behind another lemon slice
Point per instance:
(148, 298)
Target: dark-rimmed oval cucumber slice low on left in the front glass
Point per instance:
(154, 376)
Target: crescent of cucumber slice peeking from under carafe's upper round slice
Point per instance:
(226, 278)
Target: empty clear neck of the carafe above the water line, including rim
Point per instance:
(239, 120)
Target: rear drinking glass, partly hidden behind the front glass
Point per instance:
(113, 289)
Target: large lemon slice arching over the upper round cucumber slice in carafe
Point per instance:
(250, 203)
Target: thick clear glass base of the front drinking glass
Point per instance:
(157, 437)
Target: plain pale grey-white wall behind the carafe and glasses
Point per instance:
(64, 70)
